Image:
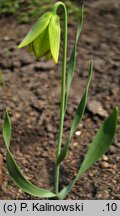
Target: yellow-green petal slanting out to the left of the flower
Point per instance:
(36, 30)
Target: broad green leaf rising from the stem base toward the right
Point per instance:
(100, 144)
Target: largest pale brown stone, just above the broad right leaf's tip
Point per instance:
(96, 108)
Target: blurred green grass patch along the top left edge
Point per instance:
(26, 10)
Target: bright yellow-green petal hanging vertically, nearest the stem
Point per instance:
(54, 37)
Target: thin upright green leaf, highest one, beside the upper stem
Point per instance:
(72, 61)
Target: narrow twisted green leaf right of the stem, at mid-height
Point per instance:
(78, 116)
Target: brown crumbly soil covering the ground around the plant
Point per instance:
(32, 96)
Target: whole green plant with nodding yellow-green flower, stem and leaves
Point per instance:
(44, 40)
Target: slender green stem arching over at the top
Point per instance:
(63, 86)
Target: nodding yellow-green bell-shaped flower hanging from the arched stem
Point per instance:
(44, 37)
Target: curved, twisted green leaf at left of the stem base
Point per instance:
(13, 169)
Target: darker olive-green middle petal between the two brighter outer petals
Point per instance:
(41, 44)
